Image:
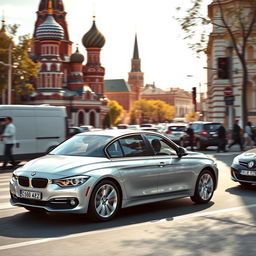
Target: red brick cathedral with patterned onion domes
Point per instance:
(63, 79)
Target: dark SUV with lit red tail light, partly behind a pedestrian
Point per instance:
(205, 135)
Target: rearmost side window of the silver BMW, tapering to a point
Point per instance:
(159, 145)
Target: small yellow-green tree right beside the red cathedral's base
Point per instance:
(114, 114)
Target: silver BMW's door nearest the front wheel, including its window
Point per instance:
(136, 165)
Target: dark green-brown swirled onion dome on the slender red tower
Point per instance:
(93, 38)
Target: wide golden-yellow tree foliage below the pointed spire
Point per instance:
(155, 111)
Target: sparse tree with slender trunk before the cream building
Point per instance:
(238, 24)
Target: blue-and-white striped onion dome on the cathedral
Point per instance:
(50, 30)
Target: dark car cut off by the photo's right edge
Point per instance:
(243, 168)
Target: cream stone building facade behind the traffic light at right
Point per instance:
(219, 45)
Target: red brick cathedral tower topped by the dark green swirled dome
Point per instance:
(93, 72)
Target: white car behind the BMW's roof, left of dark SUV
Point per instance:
(175, 131)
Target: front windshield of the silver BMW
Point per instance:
(83, 145)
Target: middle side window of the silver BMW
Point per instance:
(133, 146)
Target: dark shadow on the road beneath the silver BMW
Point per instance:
(28, 225)
